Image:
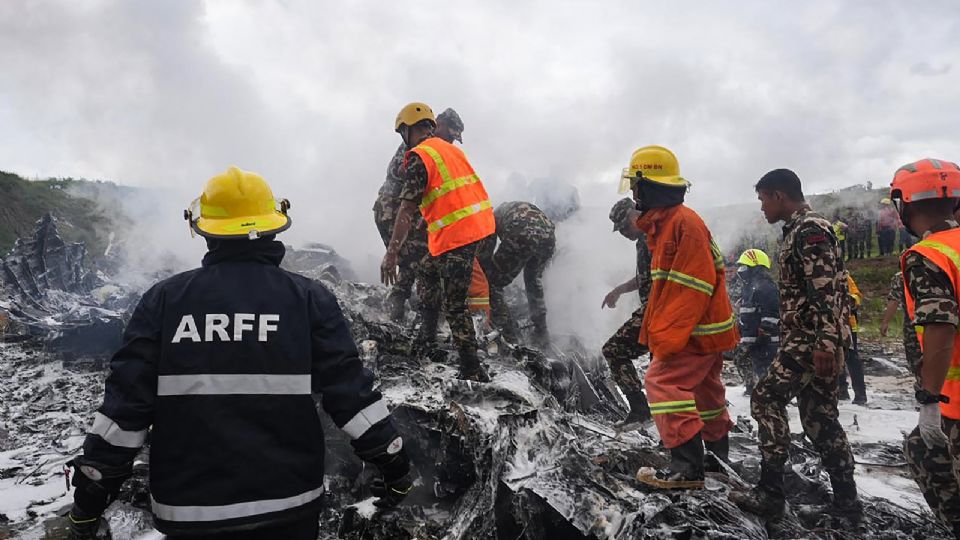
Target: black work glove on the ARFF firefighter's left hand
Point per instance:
(96, 486)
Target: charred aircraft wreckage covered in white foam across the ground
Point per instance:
(533, 454)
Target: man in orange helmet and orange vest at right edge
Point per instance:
(932, 449)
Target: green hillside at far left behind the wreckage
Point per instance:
(25, 201)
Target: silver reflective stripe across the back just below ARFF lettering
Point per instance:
(219, 384)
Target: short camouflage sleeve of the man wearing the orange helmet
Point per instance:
(932, 292)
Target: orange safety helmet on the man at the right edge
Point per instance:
(925, 179)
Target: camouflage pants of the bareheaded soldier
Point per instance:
(790, 377)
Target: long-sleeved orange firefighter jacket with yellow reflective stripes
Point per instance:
(688, 308)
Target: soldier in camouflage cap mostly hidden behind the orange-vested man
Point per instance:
(449, 128)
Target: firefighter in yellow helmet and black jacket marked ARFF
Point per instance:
(222, 362)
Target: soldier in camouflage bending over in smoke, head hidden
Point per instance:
(527, 243)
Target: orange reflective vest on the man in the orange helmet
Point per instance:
(943, 250)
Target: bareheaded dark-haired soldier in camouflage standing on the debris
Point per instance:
(814, 331)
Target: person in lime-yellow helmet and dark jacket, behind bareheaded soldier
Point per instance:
(759, 317)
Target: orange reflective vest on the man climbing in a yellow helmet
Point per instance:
(455, 205)
